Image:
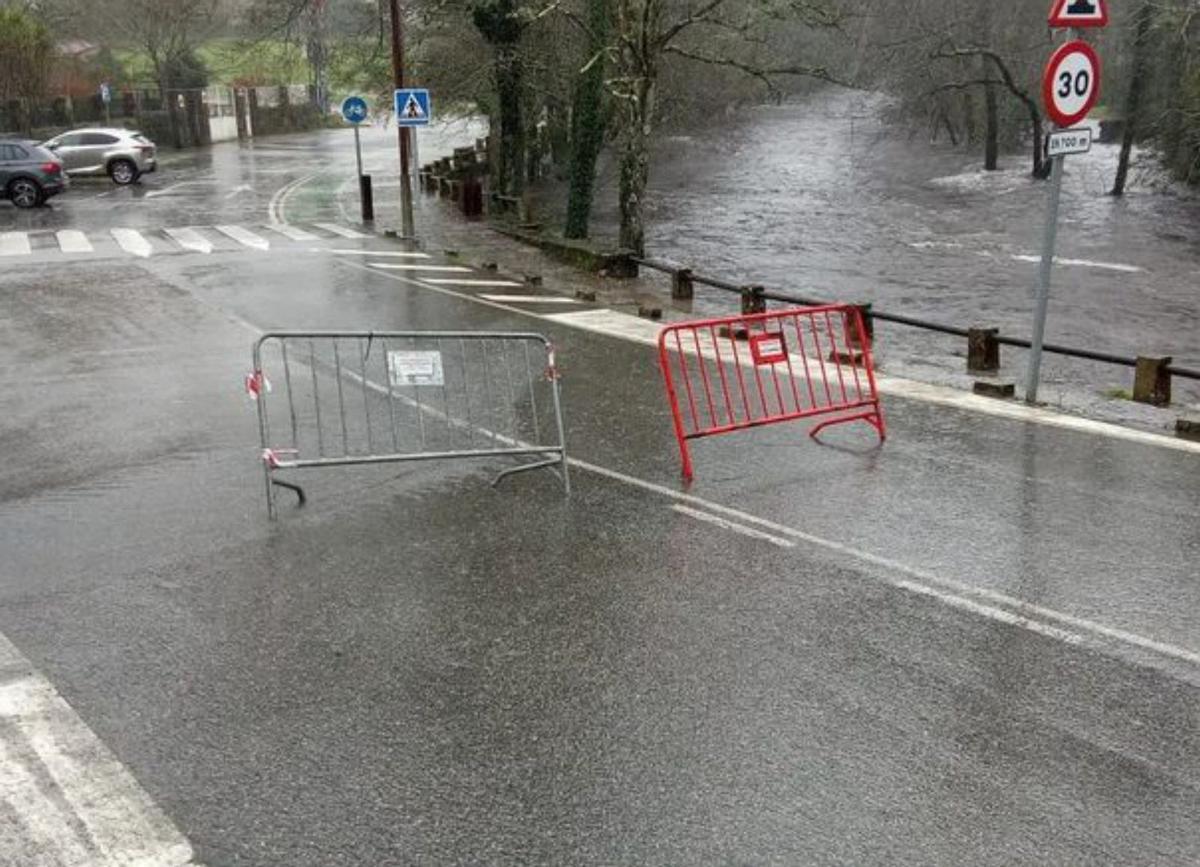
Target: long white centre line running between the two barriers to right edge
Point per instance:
(980, 601)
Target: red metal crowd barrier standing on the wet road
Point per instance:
(748, 372)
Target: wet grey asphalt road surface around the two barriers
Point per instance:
(422, 669)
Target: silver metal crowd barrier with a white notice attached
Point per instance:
(332, 399)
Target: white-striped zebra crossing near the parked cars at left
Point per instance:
(143, 243)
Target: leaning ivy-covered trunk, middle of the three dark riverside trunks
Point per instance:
(589, 123)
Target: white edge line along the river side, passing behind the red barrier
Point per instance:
(639, 331)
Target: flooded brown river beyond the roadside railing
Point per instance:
(825, 199)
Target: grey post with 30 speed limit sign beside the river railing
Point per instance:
(1071, 86)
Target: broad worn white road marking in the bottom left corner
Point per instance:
(74, 803)
